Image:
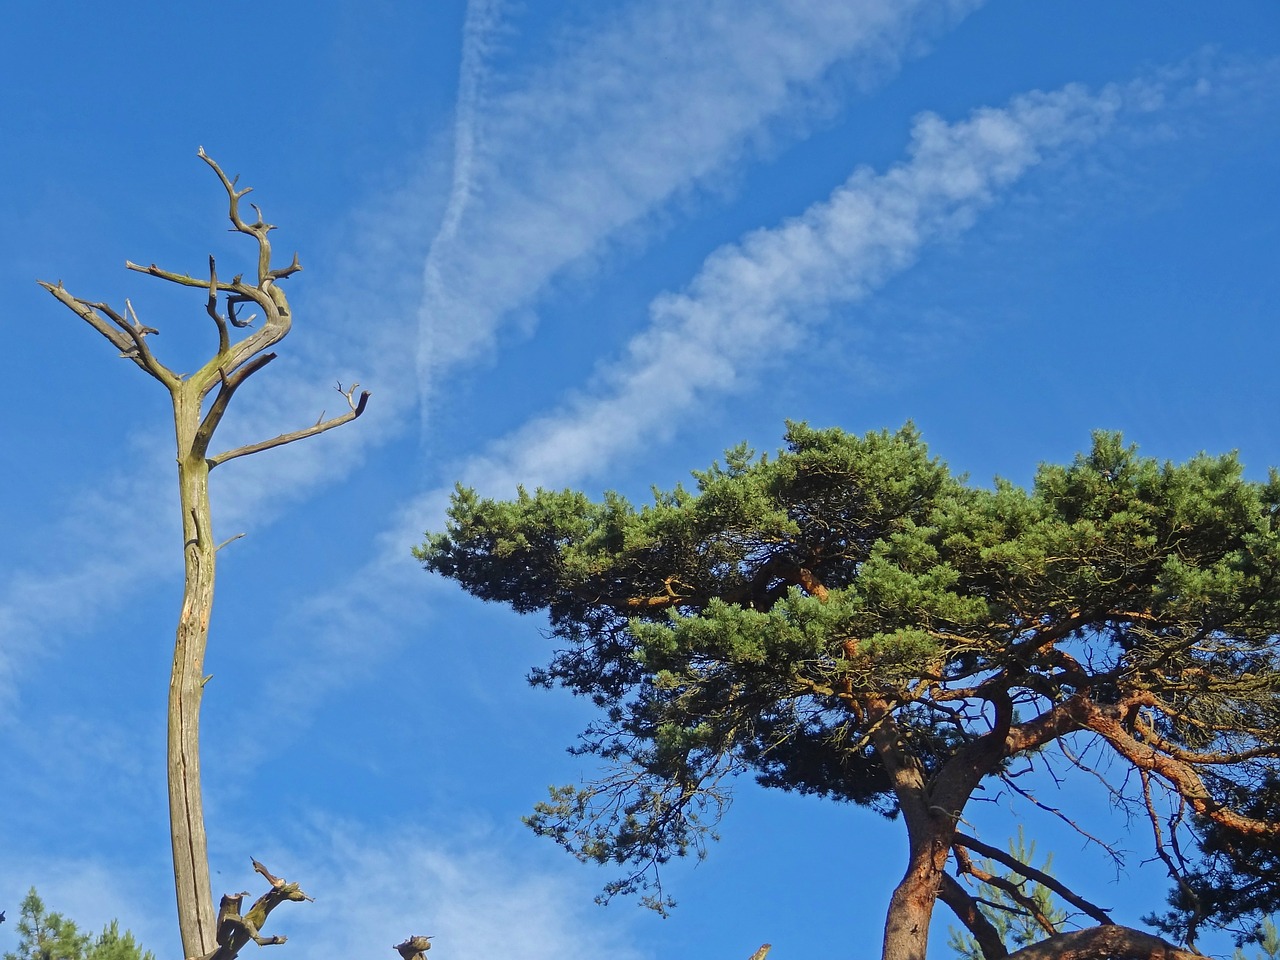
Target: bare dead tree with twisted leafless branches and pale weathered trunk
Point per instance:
(195, 424)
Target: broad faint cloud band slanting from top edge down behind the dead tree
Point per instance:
(627, 115)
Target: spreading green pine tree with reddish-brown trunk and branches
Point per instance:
(852, 620)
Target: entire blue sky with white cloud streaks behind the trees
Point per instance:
(575, 244)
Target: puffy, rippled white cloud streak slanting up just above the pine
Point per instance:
(764, 296)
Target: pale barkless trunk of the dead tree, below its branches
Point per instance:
(196, 917)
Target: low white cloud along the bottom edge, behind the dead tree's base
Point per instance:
(373, 888)
